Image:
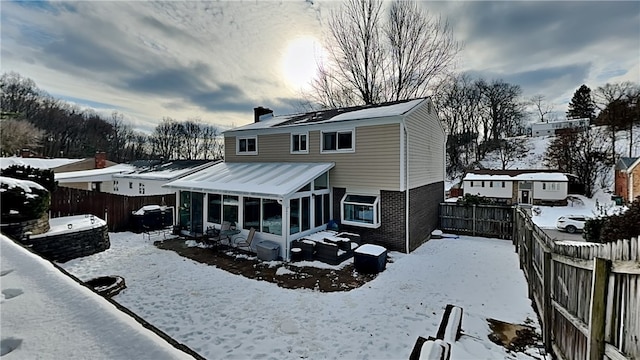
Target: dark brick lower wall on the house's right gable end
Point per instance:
(424, 205)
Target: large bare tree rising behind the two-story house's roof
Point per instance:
(372, 61)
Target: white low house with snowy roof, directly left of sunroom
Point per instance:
(149, 177)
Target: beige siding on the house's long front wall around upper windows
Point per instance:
(375, 164)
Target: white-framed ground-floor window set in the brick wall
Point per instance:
(360, 210)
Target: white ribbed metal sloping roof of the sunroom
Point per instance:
(276, 180)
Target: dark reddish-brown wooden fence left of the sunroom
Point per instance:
(115, 209)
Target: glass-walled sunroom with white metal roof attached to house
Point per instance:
(281, 201)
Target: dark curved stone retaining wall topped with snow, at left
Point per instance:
(70, 245)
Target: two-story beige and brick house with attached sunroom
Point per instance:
(375, 170)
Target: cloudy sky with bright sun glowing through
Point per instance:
(218, 60)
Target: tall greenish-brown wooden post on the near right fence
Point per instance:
(597, 311)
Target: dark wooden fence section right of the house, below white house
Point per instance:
(477, 220)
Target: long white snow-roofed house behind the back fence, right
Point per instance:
(510, 187)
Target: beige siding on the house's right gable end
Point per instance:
(426, 146)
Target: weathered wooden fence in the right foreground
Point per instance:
(587, 294)
